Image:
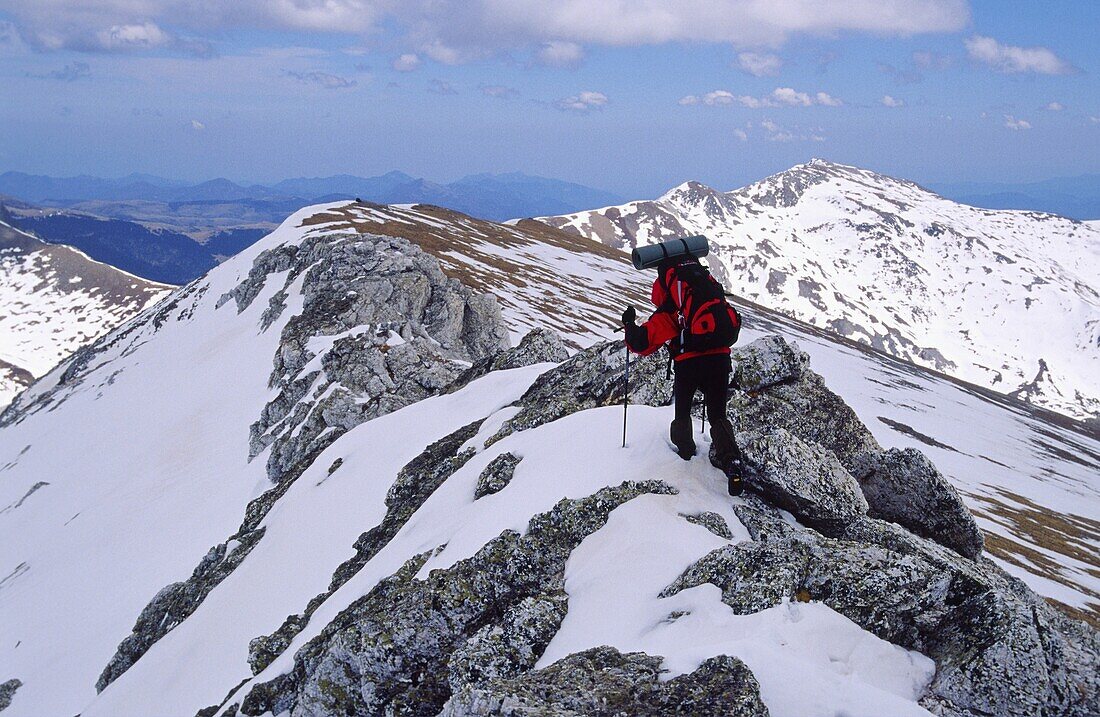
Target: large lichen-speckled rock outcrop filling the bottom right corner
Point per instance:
(999, 648)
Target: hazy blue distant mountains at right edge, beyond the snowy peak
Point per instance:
(1072, 197)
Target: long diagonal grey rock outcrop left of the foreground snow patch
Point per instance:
(388, 653)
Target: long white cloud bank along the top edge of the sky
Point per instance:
(501, 25)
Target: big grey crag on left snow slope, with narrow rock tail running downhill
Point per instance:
(381, 327)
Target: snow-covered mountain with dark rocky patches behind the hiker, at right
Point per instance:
(1004, 300)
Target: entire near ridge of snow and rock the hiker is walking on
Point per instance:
(317, 482)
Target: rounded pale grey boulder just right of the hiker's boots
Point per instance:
(801, 478)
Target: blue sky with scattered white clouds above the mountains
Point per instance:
(633, 97)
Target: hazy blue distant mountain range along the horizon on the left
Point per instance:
(487, 196)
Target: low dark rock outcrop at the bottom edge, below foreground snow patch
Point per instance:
(603, 682)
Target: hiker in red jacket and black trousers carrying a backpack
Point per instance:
(699, 327)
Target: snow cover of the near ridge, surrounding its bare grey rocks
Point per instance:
(92, 533)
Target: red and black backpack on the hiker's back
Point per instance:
(707, 319)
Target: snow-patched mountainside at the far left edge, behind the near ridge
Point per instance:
(54, 301)
